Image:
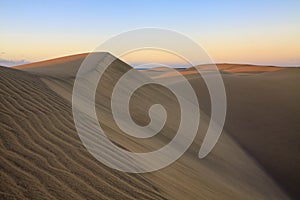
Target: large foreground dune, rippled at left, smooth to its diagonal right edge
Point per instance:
(42, 156)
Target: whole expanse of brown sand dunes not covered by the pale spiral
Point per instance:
(42, 156)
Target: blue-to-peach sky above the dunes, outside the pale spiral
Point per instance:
(257, 31)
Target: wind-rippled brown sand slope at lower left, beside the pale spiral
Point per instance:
(41, 155)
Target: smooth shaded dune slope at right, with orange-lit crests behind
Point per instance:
(263, 116)
